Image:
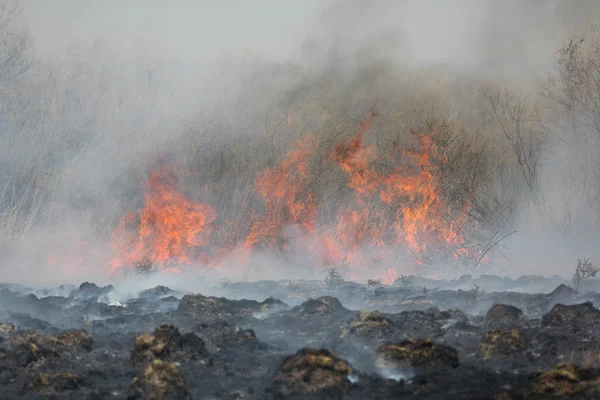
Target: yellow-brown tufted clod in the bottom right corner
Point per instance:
(567, 381)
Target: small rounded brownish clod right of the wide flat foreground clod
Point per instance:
(502, 343)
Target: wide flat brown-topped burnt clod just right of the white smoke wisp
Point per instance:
(421, 353)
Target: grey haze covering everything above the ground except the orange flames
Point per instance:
(117, 87)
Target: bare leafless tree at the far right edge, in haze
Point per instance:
(573, 103)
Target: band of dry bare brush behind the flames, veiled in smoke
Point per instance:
(61, 120)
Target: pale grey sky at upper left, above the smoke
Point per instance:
(190, 29)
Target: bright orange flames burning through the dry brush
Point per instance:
(402, 208)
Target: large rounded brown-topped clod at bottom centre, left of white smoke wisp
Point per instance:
(310, 371)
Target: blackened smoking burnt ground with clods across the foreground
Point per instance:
(490, 338)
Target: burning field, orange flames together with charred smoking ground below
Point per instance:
(378, 323)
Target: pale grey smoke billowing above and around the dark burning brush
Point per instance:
(114, 89)
